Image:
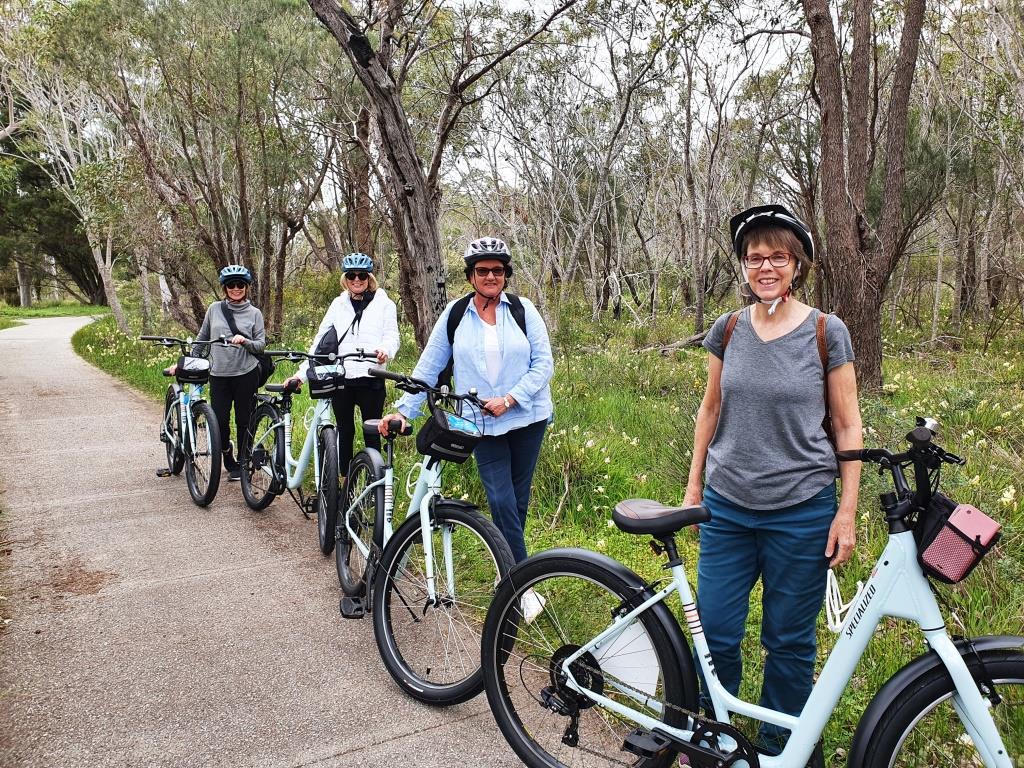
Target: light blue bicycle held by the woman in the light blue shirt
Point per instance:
(431, 581)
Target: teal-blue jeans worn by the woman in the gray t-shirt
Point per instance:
(786, 549)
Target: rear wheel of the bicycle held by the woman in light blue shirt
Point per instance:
(367, 521)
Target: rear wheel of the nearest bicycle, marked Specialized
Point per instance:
(521, 660)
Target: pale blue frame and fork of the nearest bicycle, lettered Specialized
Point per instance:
(897, 588)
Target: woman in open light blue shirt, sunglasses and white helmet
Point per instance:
(511, 372)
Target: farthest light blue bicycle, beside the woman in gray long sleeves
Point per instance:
(189, 430)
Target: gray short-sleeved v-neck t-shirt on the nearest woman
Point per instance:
(770, 450)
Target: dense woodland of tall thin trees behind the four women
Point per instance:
(147, 145)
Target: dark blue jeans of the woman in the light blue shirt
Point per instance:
(506, 463)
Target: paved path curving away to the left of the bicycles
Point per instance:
(147, 631)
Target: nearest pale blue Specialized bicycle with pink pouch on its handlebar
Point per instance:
(605, 676)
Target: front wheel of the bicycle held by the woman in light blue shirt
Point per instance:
(433, 648)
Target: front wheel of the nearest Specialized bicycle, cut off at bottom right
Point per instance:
(921, 728)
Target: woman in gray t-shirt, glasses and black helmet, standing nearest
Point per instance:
(764, 467)
